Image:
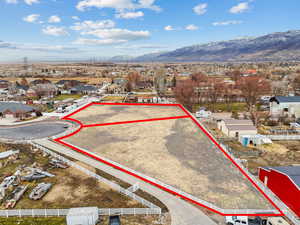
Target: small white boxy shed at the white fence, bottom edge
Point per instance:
(83, 216)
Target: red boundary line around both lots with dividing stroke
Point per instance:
(188, 115)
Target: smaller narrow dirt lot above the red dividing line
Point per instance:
(96, 114)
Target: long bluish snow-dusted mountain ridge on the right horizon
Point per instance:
(272, 47)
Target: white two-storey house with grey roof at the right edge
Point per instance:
(285, 106)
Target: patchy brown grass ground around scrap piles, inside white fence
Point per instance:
(71, 187)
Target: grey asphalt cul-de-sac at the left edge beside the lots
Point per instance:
(32, 131)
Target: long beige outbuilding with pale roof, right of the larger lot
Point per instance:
(235, 128)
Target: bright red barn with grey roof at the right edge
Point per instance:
(285, 183)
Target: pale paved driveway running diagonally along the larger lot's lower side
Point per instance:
(182, 212)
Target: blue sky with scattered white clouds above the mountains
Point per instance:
(83, 29)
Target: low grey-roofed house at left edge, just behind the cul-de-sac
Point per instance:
(15, 110)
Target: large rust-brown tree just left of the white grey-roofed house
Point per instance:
(252, 88)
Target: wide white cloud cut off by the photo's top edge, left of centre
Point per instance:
(117, 4)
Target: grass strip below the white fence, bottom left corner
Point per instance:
(33, 221)
